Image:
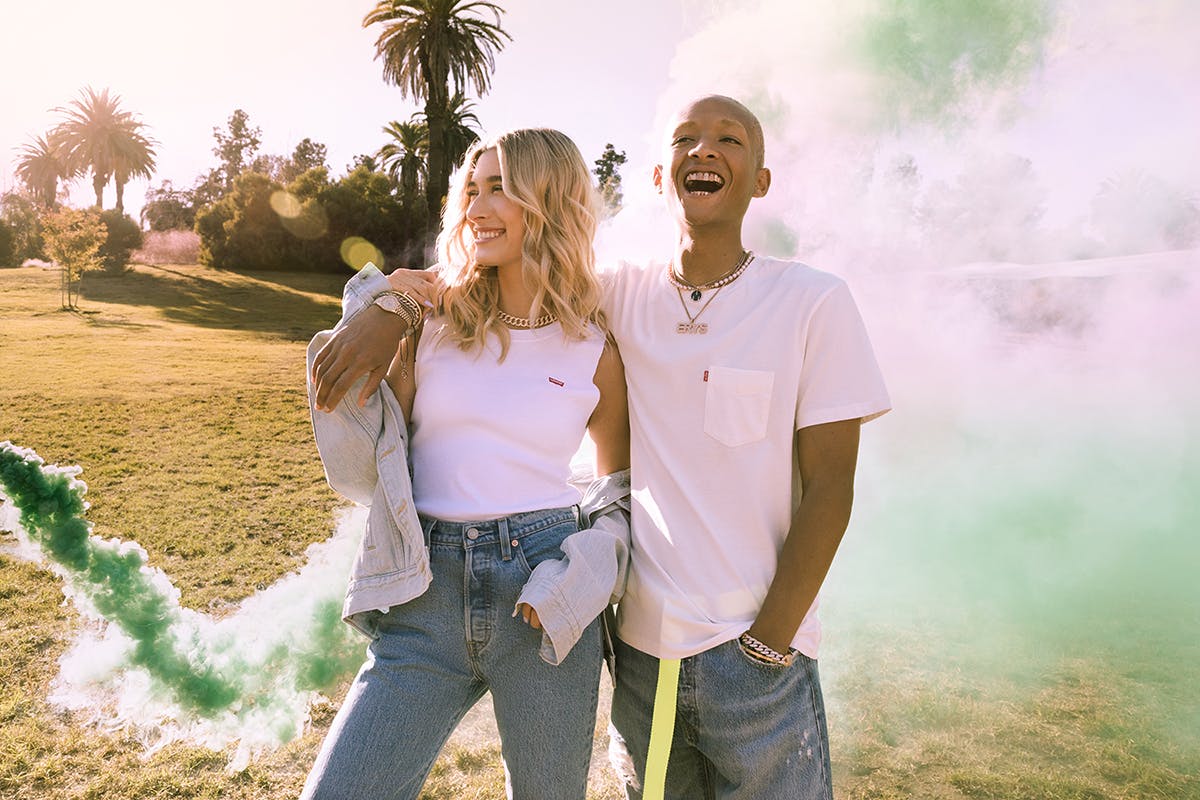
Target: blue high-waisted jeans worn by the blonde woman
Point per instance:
(436, 655)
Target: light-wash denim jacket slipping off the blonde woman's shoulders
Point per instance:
(365, 455)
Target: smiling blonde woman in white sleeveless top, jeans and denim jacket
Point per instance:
(500, 387)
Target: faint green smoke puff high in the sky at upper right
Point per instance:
(938, 57)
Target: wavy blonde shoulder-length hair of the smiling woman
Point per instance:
(543, 172)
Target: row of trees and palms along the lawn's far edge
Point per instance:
(256, 210)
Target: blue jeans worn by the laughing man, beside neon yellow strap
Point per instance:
(745, 730)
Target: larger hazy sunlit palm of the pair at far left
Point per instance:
(99, 137)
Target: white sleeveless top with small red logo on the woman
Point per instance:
(494, 440)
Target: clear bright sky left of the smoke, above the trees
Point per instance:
(307, 69)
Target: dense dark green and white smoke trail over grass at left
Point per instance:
(251, 673)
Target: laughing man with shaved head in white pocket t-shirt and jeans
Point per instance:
(749, 380)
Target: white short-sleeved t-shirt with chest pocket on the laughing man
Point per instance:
(713, 420)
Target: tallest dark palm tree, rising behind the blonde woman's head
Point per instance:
(428, 45)
